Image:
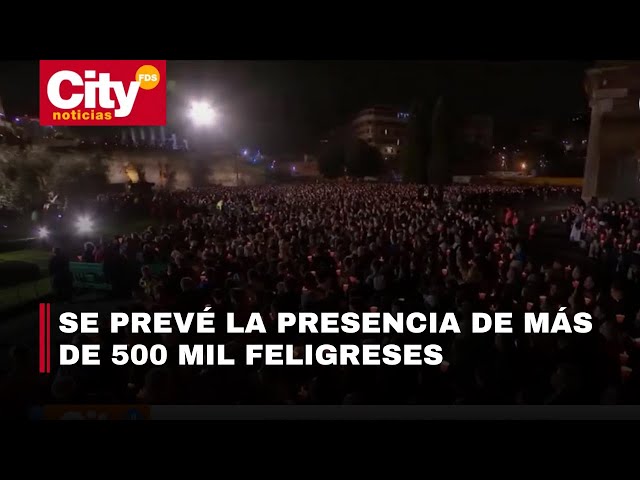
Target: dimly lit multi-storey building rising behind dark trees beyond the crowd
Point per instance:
(382, 127)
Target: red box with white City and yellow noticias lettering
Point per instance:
(103, 92)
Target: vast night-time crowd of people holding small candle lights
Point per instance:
(374, 247)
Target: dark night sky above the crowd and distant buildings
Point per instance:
(282, 106)
